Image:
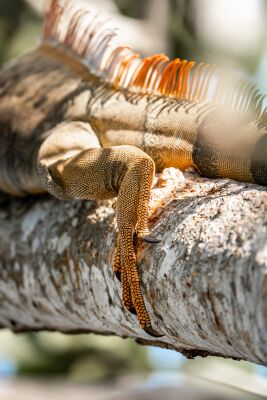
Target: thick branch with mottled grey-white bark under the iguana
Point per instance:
(205, 284)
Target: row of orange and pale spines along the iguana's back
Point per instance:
(69, 24)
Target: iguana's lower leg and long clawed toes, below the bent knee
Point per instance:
(132, 219)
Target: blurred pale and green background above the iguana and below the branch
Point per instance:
(51, 365)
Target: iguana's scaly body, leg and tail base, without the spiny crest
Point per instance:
(64, 131)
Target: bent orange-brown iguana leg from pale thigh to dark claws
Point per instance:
(72, 165)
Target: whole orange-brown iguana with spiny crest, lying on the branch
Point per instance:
(85, 117)
